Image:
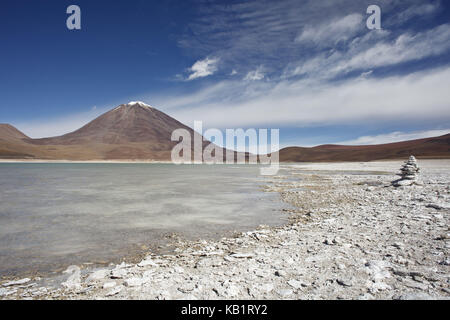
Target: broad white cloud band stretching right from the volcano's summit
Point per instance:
(415, 97)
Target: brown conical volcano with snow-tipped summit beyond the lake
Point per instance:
(130, 131)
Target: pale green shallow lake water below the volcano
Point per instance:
(53, 215)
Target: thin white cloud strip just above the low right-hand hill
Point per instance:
(397, 136)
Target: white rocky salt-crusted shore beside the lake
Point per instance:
(352, 236)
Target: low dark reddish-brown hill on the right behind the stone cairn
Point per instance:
(437, 147)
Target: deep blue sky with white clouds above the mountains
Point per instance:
(310, 68)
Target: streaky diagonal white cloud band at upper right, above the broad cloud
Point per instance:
(373, 51)
